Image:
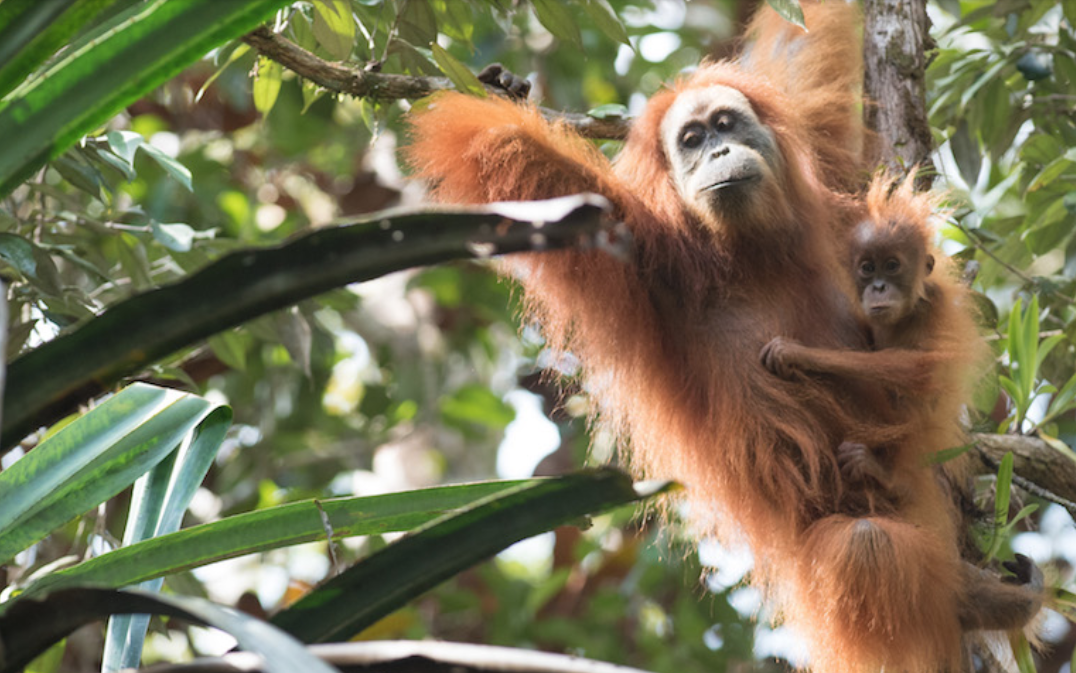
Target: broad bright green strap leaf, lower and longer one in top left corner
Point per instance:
(115, 64)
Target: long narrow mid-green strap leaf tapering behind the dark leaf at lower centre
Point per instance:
(268, 529)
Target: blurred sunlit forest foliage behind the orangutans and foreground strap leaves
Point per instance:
(424, 377)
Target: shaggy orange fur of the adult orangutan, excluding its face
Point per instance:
(670, 342)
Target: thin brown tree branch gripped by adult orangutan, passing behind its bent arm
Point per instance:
(389, 87)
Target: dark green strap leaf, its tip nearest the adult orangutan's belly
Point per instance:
(387, 581)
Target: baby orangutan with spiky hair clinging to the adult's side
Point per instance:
(907, 313)
